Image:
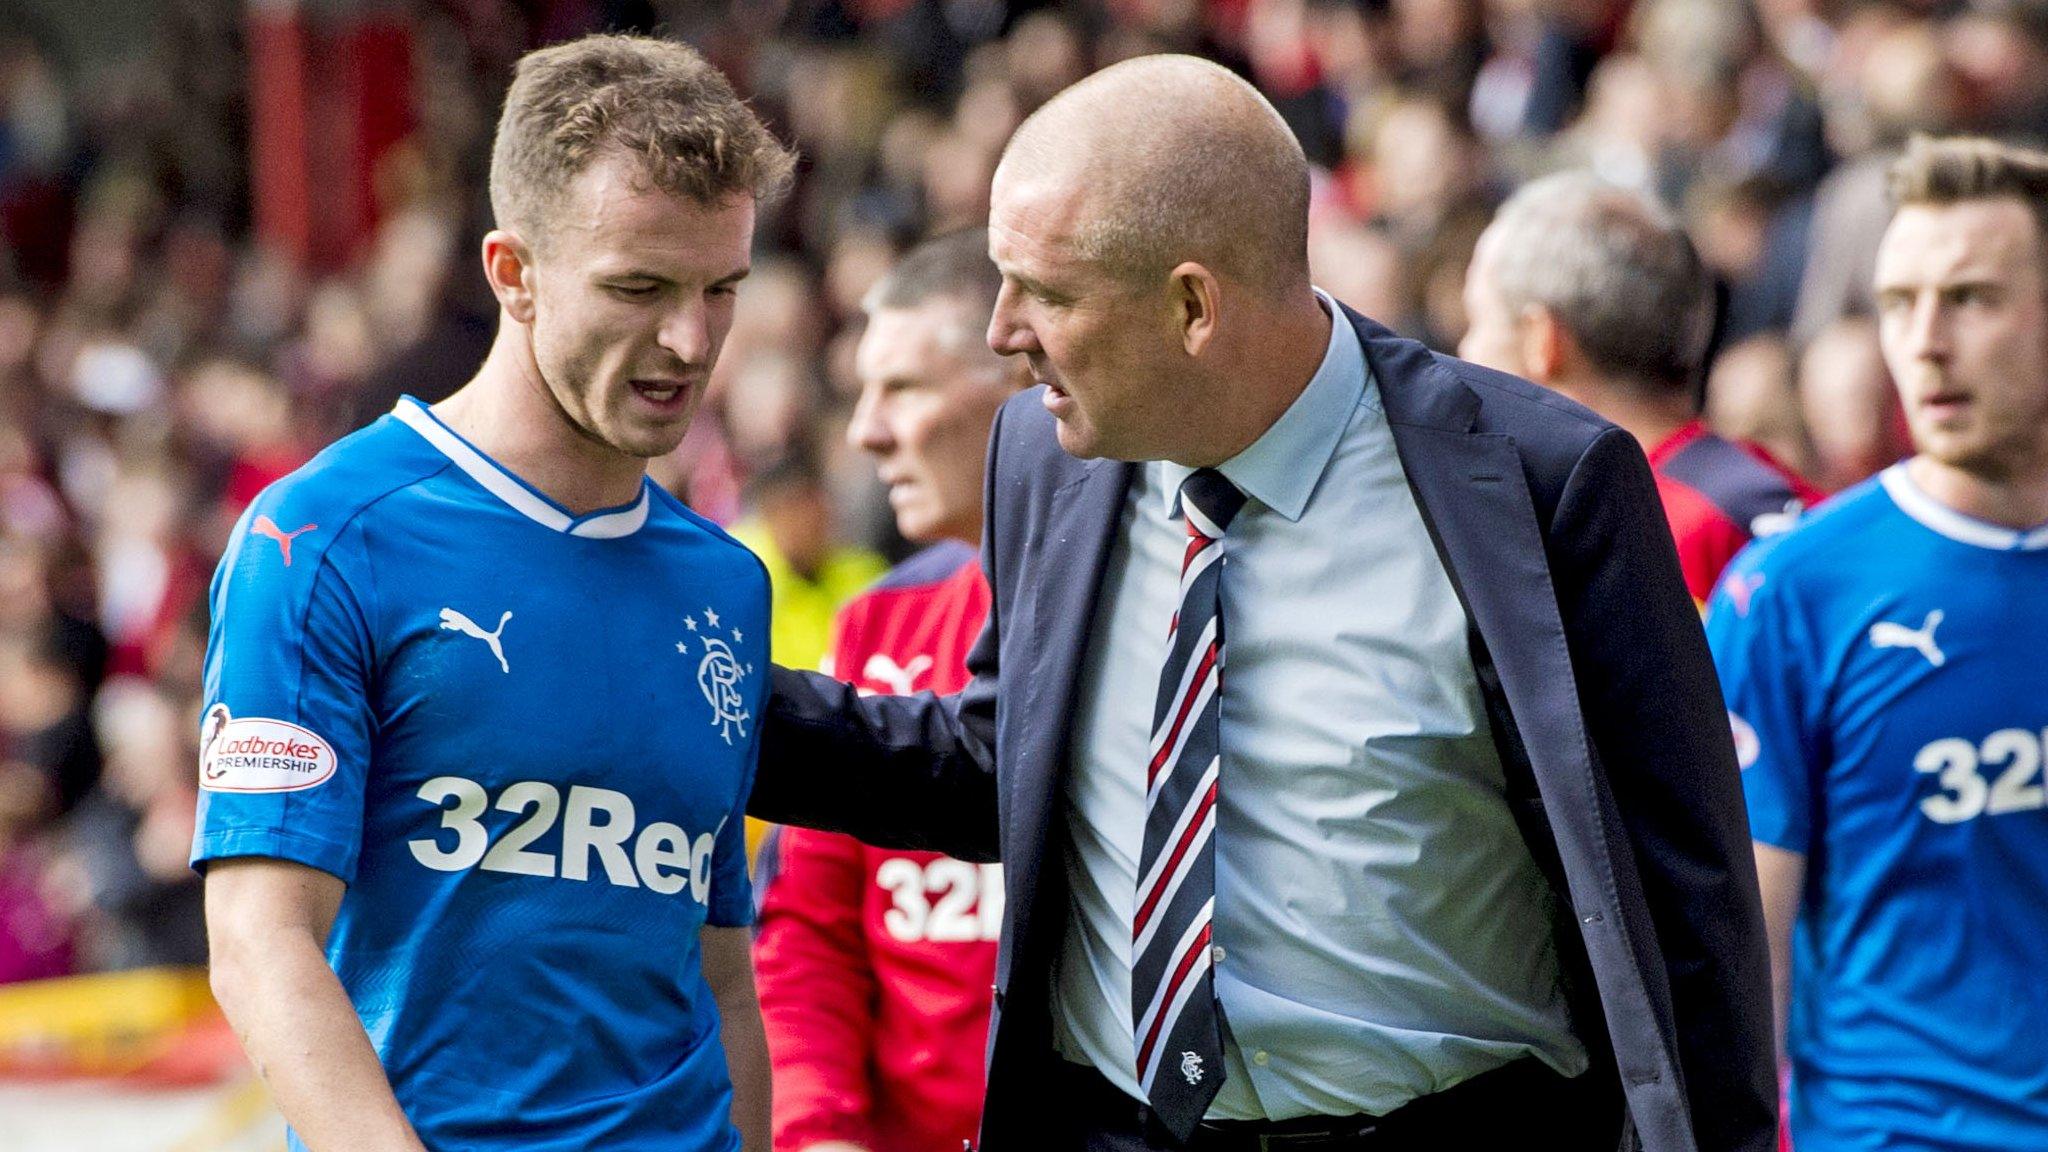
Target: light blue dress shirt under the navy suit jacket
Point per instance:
(1381, 928)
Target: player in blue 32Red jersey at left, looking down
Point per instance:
(480, 698)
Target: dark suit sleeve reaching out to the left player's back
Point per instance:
(894, 772)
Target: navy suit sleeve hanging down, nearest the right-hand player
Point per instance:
(1660, 735)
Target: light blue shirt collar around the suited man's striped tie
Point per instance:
(1283, 466)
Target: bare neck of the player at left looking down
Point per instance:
(511, 415)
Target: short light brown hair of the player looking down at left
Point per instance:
(656, 101)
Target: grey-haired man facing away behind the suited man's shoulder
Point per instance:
(1596, 292)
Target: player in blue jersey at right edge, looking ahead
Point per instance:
(1885, 675)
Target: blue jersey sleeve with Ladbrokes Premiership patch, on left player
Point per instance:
(286, 733)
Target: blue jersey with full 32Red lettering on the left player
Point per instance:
(525, 741)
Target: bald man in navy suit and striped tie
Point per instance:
(1449, 852)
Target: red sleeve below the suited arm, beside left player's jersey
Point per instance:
(816, 987)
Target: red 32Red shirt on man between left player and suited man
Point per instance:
(876, 966)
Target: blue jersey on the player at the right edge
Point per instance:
(1885, 673)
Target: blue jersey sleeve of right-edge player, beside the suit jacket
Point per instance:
(1762, 653)
